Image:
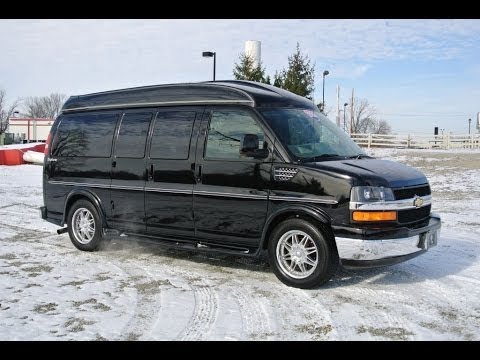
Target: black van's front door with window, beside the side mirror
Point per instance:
(230, 199)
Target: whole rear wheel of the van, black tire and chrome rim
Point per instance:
(85, 226)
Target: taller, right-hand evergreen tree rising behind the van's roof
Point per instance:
(299, 77)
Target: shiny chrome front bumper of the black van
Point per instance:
(397, 246)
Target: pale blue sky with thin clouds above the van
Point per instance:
(418, 73)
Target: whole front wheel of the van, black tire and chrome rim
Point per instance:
(302, 255)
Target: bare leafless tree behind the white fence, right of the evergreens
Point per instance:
(365, 119)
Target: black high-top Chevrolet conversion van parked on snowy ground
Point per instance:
(232, 166)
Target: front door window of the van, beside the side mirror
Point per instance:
(225, 132)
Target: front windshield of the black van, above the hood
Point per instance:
(308, 135)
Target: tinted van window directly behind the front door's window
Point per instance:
(171, 135)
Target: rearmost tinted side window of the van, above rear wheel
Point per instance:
(85, 135)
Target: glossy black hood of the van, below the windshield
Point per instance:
(373, 172)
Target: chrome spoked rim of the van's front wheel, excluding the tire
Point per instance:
(297, 254)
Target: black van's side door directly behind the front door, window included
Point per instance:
(169, 189)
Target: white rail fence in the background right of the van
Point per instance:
(447, 141)
